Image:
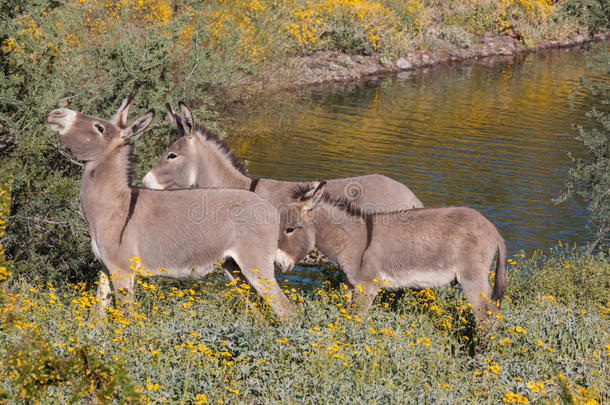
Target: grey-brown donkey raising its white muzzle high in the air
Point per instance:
(178, 234)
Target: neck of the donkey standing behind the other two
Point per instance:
(218, 170)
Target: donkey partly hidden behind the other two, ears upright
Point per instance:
(200, 159)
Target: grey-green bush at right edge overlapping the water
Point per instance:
(590, 178)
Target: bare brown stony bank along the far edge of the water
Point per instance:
(333, 66)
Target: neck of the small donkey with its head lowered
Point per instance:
(340, 235)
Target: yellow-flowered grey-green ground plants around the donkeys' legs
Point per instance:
(199, 343)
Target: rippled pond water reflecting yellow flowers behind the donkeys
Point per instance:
(492, 134)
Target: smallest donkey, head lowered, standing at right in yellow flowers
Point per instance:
(419, 248)
